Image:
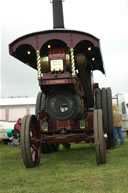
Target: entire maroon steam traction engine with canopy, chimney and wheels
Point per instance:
(70, 108)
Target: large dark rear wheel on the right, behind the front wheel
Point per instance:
(103, 100)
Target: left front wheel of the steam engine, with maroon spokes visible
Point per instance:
(30, 145)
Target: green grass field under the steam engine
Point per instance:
(67, 171)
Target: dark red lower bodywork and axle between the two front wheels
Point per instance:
(67, 131)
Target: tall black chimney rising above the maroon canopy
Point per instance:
(58, 20)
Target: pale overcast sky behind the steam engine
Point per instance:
(107, 20)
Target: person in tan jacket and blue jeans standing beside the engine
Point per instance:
(117, 123)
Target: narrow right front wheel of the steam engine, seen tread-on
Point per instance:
(100, 144)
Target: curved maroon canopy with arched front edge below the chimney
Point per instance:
(70, 37)
